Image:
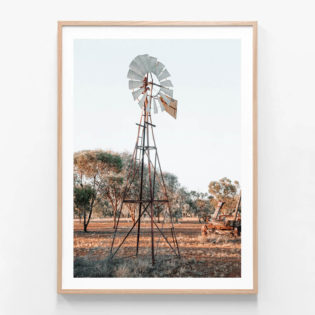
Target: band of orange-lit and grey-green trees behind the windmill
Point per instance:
(100, 179)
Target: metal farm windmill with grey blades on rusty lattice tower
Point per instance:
(145, 186)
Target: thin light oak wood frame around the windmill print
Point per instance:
(60, 290)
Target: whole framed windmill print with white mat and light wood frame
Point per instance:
(157, 157)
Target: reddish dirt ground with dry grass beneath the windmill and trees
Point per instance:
(216, 255)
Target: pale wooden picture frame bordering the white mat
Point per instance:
(62, 25)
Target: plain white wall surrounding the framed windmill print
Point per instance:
(28, 129)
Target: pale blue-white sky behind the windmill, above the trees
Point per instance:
(204, 142)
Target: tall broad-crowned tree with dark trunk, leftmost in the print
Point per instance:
(94, 169)
